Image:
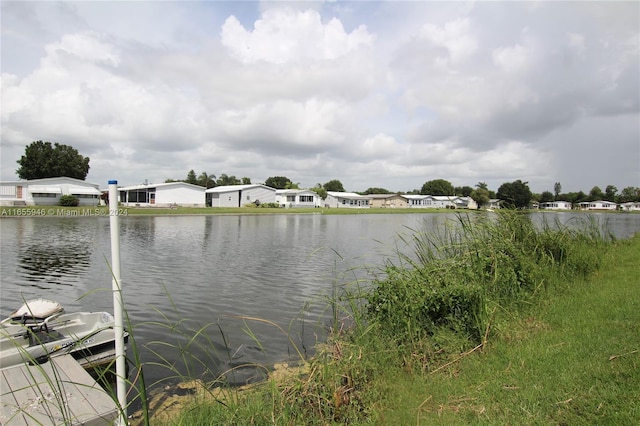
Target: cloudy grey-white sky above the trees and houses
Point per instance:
(371, 93)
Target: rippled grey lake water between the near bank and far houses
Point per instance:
(210, 273)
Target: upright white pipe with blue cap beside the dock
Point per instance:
(116, 285)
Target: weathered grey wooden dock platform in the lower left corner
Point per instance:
(58, 392)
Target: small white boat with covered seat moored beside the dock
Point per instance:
(40, 329)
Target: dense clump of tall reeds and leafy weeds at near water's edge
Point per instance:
(457, 275)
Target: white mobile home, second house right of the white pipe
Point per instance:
(240, 195)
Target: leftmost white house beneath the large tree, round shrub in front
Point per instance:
(47, 192)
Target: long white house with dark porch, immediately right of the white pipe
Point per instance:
(162, 195)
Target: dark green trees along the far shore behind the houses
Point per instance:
(44, 160)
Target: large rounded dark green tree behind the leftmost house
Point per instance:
(44, 160)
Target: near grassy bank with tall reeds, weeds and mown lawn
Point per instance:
(489, 320)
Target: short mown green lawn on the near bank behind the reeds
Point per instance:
(575, 360)
